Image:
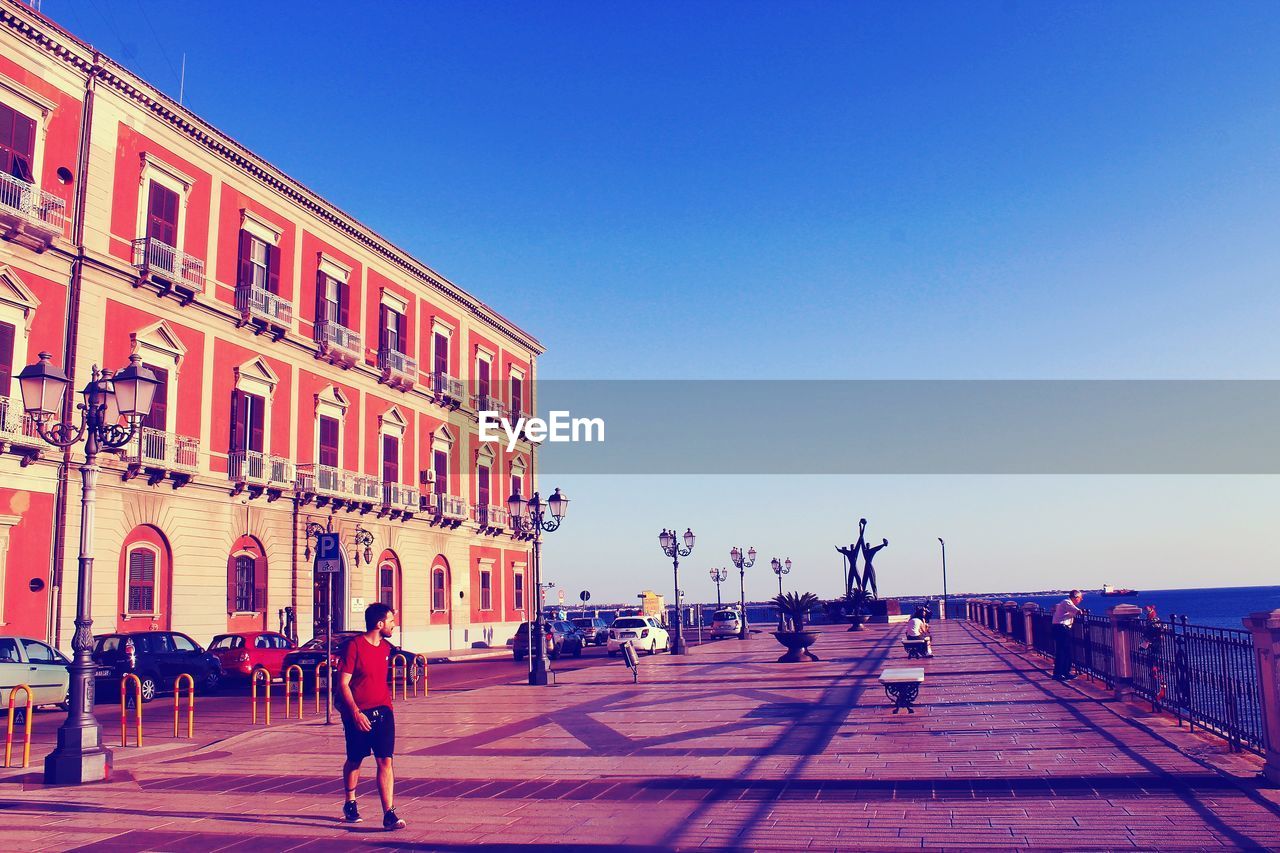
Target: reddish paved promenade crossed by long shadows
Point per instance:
(723, 749)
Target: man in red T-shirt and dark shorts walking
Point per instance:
(368, 722)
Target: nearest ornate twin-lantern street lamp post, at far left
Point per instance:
(80, 756)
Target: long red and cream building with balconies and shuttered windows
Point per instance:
(312, 373)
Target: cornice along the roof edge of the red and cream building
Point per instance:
(56, 42)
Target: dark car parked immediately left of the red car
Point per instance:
(157, 658)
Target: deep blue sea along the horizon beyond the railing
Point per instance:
(1210, 606)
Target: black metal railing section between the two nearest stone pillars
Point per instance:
(1200, 674)
